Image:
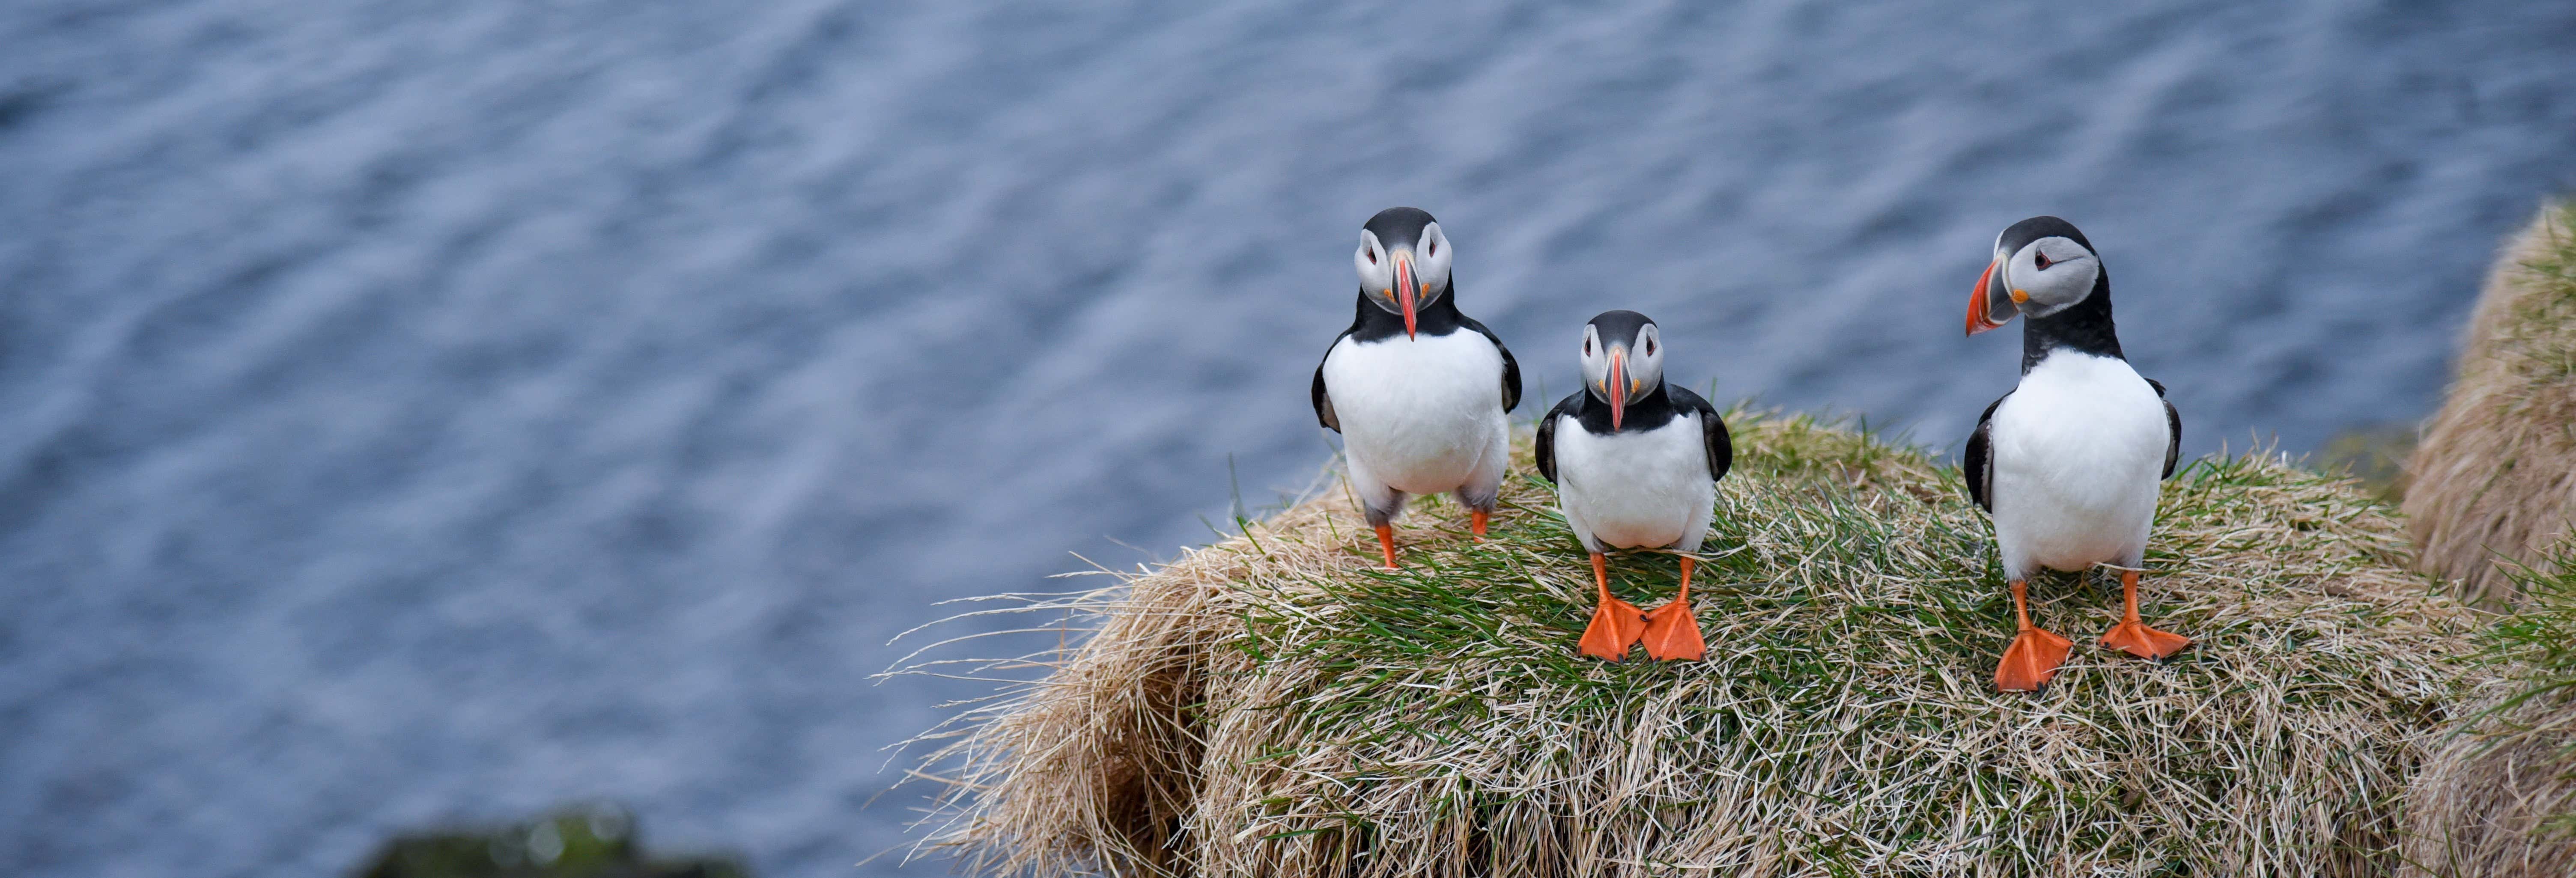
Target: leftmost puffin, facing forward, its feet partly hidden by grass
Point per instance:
(1416, 388)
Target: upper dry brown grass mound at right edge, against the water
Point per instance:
(2497, 470)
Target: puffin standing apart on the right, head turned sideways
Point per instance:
(2067, 462)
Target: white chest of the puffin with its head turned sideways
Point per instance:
(2078, 457)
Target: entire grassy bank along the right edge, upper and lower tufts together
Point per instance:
(2492, 498)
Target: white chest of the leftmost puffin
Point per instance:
(1421, 413)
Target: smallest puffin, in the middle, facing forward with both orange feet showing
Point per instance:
(1637, 465)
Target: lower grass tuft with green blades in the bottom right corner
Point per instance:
(2500, 797)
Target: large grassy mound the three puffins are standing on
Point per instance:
(1274, 707)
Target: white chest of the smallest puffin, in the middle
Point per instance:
(1634, 490)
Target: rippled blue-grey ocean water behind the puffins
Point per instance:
(439, 411)
